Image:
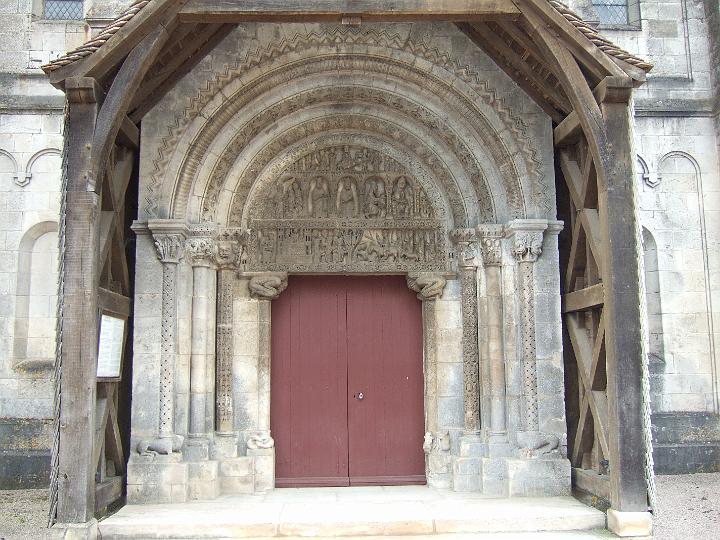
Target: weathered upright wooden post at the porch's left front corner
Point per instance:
(76, 475)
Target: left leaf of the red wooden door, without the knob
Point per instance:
(308, 413)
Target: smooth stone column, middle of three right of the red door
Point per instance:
(493, 350)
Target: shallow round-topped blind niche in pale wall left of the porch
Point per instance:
(36, 297)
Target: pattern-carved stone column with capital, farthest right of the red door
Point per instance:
(527, 238)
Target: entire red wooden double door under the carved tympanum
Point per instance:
(347, 382)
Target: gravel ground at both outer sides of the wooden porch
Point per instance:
(689, 509)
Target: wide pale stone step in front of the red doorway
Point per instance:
(352, 512)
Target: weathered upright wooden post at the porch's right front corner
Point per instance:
(618, 222)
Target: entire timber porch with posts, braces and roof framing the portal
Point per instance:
(583, 82)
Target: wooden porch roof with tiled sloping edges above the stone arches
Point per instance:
(502, 28)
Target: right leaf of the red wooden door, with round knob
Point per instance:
(384, 321)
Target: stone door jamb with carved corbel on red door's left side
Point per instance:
(264, 288)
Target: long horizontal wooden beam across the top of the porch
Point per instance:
(232, 11)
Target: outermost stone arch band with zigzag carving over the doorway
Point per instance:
(516, 157)
